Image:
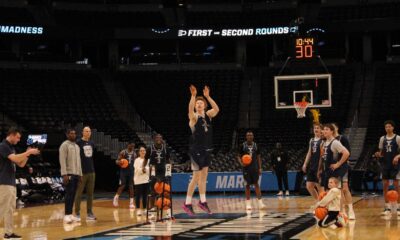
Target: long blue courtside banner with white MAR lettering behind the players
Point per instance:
(230, 181)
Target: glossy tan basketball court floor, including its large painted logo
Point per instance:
(285, 218)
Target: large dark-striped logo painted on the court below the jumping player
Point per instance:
(216, 226)
